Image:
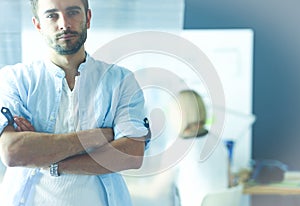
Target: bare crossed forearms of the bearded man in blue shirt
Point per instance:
(27, 148)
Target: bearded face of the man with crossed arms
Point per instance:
(64, 24)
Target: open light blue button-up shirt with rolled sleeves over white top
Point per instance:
(109, 96)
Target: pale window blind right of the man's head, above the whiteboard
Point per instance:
(137, 14)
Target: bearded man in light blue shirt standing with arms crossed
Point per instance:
(79, 120)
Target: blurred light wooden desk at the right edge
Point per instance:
(289, 186)
